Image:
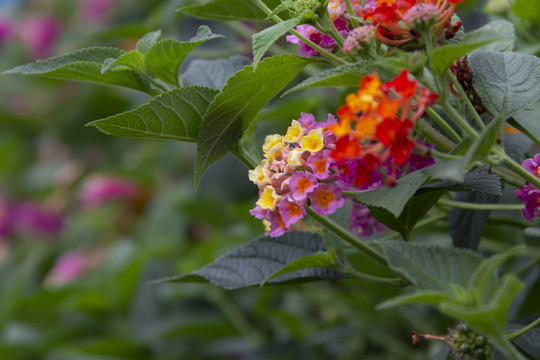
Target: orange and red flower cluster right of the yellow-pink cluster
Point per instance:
(375, 125)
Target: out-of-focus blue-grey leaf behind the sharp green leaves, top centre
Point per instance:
(212, 73)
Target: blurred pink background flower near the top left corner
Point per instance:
(39, 34)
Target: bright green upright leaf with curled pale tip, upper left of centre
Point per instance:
(164, 58)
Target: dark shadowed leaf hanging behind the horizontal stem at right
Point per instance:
(466, 225)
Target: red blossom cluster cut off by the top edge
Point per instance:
(398, 21)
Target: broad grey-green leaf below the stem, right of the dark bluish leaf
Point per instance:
(430, 267)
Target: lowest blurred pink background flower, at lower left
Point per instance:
(72, 265)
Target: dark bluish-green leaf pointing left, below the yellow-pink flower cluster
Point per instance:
(251, 264)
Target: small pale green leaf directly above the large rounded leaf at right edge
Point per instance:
(499, 36)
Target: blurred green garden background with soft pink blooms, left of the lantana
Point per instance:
(87, 220)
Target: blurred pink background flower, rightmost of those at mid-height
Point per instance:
(101, 189)
